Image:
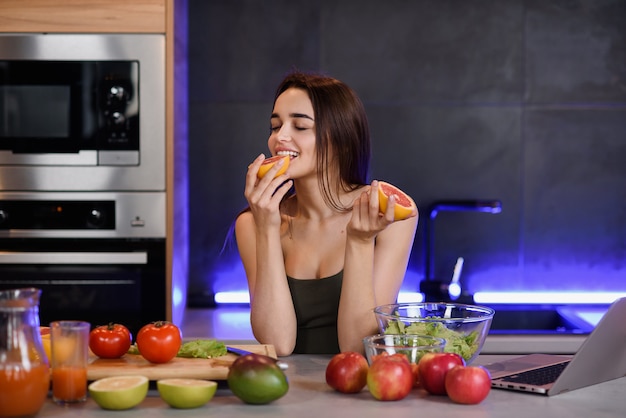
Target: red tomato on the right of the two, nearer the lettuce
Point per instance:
(159, 342)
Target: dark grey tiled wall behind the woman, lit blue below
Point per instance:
(521, 101)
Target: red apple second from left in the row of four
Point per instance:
(390, 378)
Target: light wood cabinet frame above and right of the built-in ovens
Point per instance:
(111, 17)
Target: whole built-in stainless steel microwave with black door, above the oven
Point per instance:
(82, 112)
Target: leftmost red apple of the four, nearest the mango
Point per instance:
(347, 372)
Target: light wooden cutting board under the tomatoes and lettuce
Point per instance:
(189, 368)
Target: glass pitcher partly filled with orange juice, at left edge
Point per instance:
(24, 366)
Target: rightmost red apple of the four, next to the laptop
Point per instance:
(468, 385)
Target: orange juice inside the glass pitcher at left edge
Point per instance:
(23, 392)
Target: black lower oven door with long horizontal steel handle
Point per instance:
(96, 280)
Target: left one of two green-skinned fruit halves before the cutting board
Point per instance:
(120, 392)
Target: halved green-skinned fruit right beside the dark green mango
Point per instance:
(186, 393)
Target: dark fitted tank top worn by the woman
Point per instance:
(316, 303)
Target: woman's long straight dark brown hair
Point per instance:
(341, 129)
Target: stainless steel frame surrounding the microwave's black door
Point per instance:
(73, 172)
